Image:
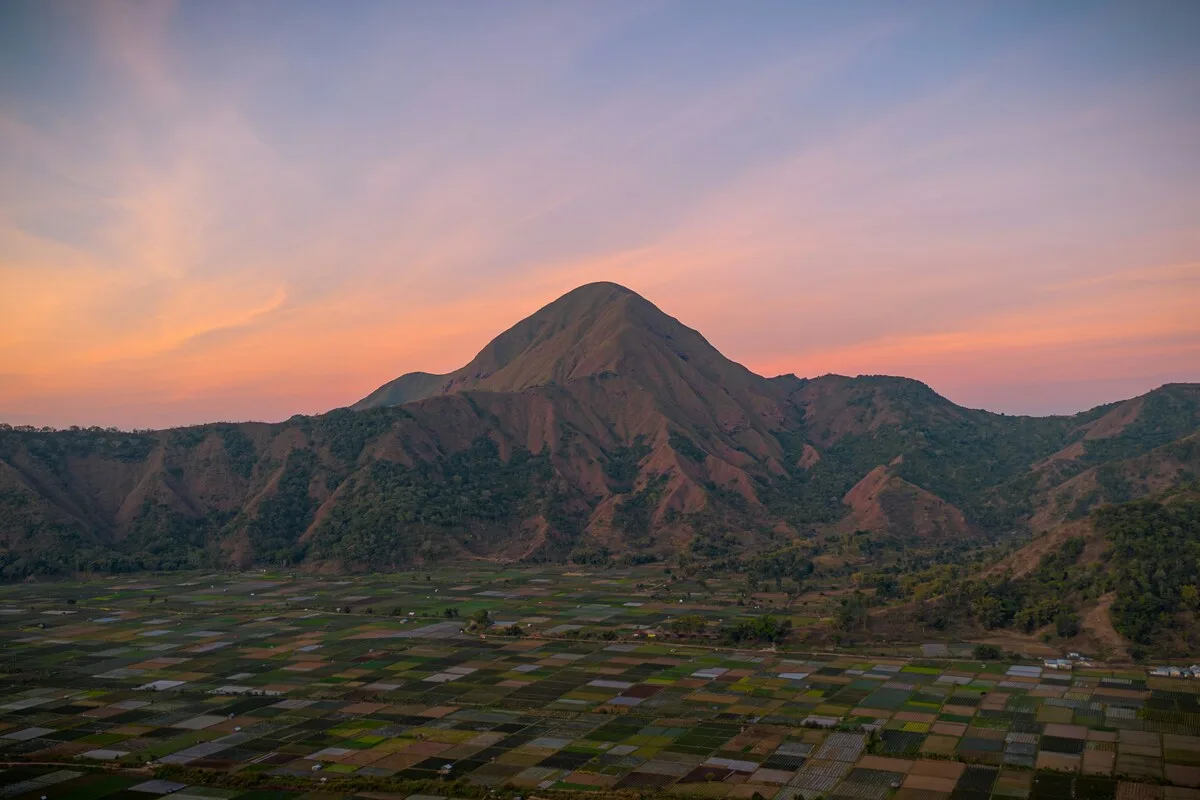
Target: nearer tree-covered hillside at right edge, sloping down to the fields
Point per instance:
(1120, 582)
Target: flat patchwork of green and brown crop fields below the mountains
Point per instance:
(256, 685)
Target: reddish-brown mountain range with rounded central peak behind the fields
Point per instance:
(598, 429)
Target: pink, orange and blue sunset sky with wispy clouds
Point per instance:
(221, 210)
